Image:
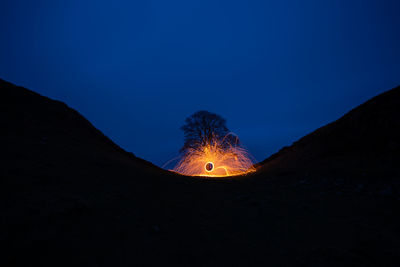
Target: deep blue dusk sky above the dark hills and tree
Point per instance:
(276, 70)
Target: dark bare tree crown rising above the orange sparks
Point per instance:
(205, 128)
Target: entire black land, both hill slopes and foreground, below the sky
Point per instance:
(71, 197)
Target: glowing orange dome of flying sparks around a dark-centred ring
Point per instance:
(215, 160)
